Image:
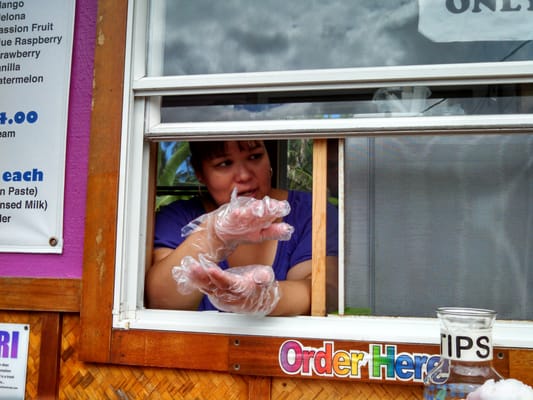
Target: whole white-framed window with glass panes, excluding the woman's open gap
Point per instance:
(436, 153)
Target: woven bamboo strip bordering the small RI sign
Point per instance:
(35, 322)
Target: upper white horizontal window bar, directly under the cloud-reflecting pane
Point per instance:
(493, 73)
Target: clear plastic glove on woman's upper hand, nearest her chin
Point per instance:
(242, 220)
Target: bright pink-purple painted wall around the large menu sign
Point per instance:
(69, 264)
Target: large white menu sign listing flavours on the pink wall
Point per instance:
(35, 58)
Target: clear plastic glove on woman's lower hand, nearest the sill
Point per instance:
(247, 290)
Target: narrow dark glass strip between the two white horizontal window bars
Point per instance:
(356, 103)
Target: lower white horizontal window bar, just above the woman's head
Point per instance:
(440, 125)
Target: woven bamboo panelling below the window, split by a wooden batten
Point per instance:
(80, 380)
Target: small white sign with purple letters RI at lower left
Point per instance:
(14, 341)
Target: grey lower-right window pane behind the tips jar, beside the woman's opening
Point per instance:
(440, 221)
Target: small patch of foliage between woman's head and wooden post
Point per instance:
(300, 164)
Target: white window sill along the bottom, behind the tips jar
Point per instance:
(515, 334)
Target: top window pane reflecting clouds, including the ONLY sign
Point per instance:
(210, 36)
